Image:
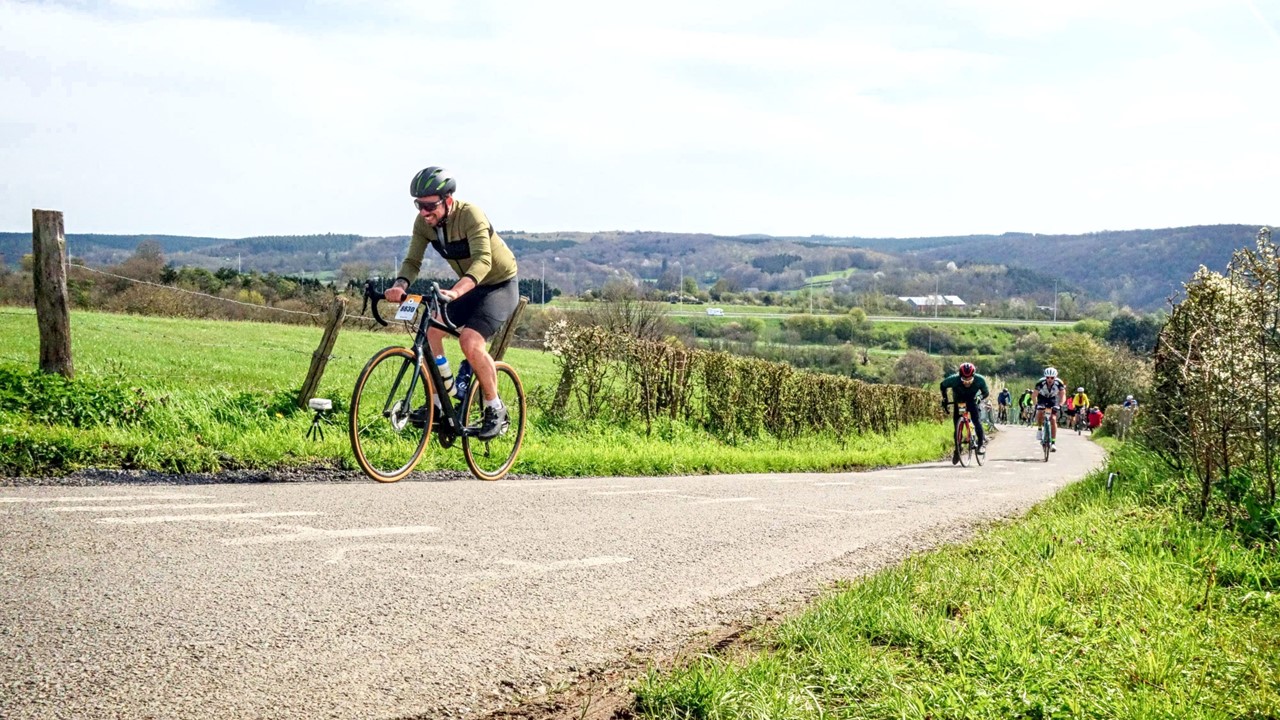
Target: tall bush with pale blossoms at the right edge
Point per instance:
(1215, 411)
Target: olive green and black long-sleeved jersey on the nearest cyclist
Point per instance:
(467, 241)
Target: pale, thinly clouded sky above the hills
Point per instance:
(842, 119)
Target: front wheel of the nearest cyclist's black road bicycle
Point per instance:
(391, 414)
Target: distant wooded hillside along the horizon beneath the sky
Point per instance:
(1137, 268)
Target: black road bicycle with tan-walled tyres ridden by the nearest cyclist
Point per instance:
(401, 399)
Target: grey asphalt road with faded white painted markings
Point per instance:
(438, 599)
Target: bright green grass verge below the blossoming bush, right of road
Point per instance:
(1096, 605)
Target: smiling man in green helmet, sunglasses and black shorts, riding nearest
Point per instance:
(487, 293)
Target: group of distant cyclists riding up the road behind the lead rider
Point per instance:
(968, 390)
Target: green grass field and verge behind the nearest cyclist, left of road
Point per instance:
(221, 395)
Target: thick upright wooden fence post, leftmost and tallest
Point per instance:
(49, 271)
